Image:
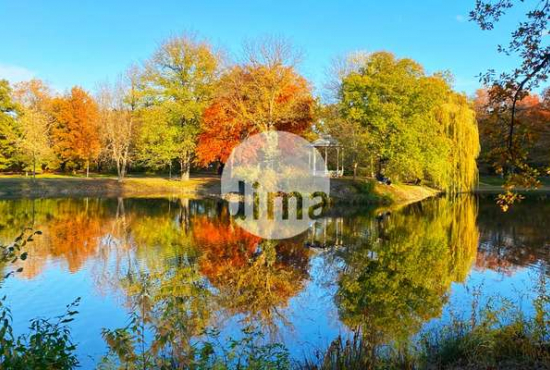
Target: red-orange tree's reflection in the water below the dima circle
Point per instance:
(253, 277)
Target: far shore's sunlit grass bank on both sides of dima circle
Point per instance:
(343, 190)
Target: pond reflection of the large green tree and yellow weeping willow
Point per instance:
(396, 277)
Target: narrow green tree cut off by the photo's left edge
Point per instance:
(8, 126)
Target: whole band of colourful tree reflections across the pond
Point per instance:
(393, 270)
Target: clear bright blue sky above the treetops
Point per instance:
(85, 42)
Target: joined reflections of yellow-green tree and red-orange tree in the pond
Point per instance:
(190, 270)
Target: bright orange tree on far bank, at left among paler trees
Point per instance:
(76, 131)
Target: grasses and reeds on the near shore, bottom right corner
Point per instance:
(497, 336)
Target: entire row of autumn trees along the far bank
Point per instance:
(188, 106)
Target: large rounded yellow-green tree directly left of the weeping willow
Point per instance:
(378, 94)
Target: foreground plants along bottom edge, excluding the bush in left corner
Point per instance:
(498, 335)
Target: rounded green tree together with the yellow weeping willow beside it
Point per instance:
(413, 126)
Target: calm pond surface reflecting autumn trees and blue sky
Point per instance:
(403, 271)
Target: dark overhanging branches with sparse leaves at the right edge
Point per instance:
(509, 88)
